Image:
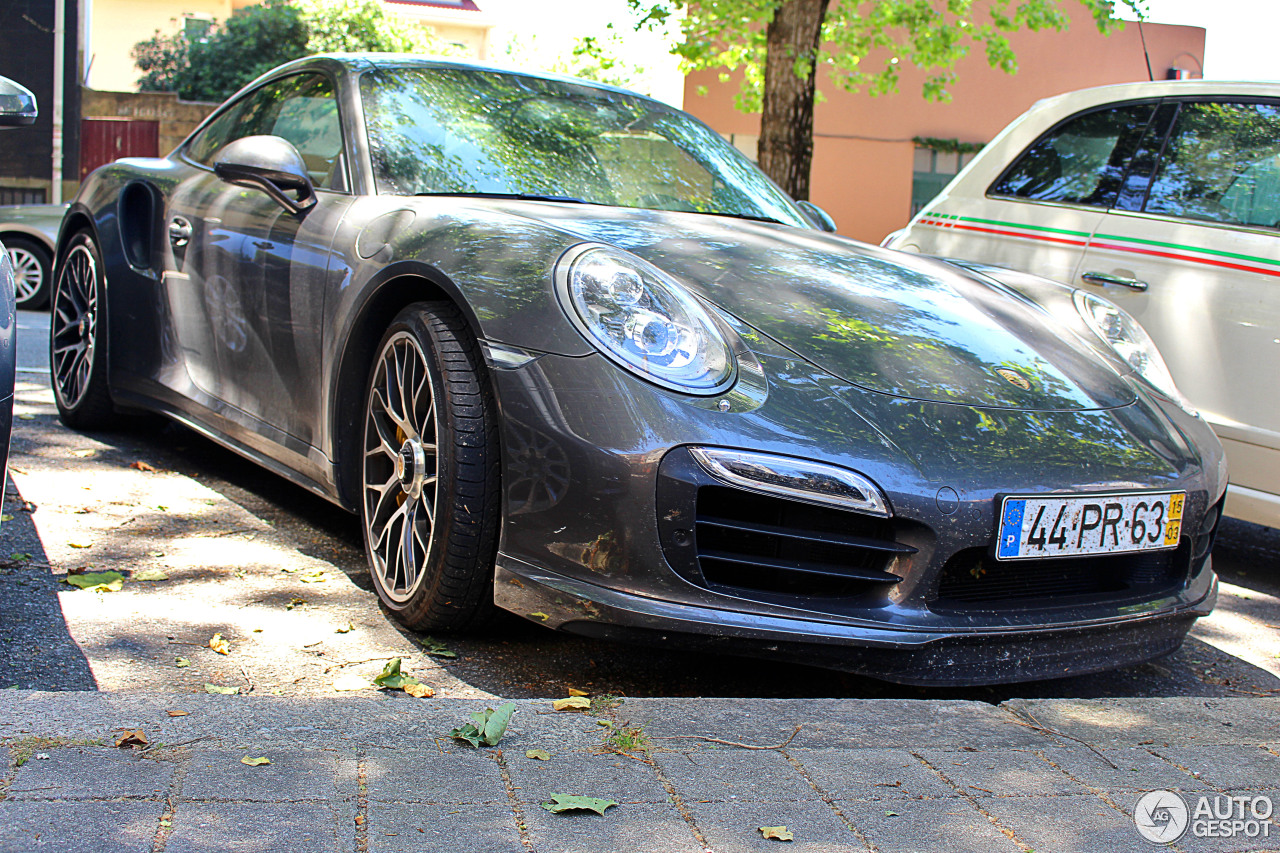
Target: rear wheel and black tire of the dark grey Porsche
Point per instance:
(77, 339)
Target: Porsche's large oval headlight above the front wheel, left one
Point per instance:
(642, 320)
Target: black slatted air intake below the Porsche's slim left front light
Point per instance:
(756, 542)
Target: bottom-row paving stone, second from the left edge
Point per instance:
(263, 828)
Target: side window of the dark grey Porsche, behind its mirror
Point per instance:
(301, 110)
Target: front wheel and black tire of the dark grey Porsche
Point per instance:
(431, 499)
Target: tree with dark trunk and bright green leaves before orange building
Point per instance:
(862, 44)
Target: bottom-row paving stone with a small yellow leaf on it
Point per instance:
(734, 828)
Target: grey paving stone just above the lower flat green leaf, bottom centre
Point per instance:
(614, 777)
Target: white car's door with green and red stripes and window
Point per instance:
(1196, 258)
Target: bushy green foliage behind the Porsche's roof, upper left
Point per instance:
(259, 38)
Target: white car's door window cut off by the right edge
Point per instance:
(1222, 165)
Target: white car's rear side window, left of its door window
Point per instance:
(1082, 161)
